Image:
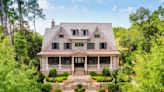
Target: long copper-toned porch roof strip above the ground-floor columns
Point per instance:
(69, 53)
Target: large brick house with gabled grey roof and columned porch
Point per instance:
(79, 48)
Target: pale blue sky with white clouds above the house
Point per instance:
(100, 11)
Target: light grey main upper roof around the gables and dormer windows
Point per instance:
(104, 28)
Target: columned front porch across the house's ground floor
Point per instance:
(72, 64)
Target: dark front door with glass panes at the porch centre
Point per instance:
(79, 62)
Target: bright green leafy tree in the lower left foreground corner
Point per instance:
(15, 77)
